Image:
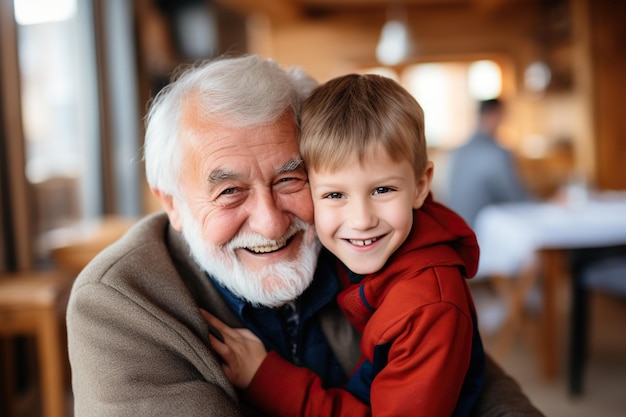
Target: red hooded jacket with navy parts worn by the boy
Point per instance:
(416, 320)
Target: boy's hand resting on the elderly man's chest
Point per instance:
(241, 351)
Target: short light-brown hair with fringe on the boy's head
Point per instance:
(355, 113)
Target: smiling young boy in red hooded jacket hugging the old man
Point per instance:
(404, 259)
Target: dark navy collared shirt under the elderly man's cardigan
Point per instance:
(310, 348)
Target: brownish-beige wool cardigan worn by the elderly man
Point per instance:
(138, 345)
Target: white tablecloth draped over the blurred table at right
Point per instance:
(510, 234)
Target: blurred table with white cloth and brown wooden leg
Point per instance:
(511, 233)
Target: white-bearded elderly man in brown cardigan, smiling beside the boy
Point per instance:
(236, 239)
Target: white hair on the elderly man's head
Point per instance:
(240, 91)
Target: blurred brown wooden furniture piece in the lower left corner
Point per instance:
(33, 304)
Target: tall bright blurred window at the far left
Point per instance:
(59, 110)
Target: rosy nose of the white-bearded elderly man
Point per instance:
(266, 217)
